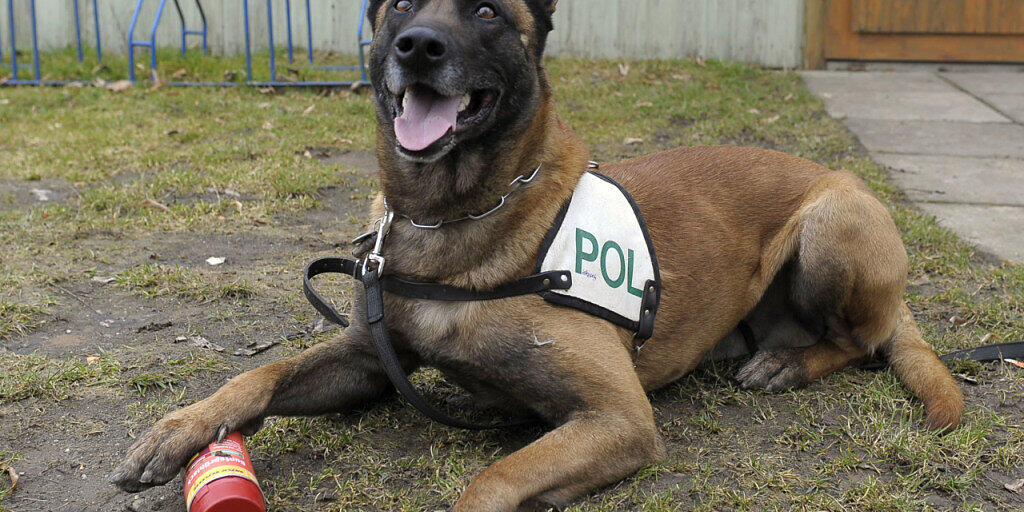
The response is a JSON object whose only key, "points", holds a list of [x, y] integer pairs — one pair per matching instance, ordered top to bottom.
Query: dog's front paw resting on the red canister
{"points": [[158, 456]]}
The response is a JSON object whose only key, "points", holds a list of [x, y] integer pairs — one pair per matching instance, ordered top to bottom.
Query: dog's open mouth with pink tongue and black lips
{"points": [[428, 120]]}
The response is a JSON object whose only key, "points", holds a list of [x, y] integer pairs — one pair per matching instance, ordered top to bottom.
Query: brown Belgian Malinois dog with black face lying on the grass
{"points": [[807, 257]]}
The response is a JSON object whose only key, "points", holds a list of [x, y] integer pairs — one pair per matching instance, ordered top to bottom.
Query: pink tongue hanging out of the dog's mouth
{"points": [[429, 117]]}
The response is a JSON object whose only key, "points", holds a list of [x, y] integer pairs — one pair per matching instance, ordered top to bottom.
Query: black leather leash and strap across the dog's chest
{"points": [[374, 286]]}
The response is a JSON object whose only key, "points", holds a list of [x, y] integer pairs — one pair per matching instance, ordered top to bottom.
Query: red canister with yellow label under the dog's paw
{"points": [[221, 479]]}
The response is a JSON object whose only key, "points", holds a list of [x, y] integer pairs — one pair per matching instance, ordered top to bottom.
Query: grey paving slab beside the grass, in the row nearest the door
{"points": [[832, 82]]}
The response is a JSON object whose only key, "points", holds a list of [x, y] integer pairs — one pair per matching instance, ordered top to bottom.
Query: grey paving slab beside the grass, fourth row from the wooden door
{"points": [[958, 180]]}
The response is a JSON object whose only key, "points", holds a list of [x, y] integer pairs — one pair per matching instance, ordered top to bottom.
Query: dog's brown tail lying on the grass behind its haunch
{"points": [[926, 376]]}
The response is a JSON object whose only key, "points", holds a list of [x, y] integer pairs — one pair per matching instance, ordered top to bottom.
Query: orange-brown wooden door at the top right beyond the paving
{"points": [[961, 31]]}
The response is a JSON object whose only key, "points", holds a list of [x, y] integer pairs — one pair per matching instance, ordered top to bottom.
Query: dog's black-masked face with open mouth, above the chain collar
{"points": [[454, 74]]}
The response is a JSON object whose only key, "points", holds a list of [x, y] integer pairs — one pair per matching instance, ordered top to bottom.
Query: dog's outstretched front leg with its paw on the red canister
{"points": [[331, 376]]}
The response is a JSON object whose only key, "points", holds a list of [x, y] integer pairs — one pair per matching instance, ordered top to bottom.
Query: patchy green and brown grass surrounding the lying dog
{"points": [[150, 165]]}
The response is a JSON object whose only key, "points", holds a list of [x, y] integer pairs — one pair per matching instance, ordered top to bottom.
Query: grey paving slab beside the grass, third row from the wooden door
{"points": [[942, 138]]}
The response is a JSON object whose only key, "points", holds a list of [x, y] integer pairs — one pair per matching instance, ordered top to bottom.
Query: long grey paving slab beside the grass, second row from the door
{"points": [[912, 106]]}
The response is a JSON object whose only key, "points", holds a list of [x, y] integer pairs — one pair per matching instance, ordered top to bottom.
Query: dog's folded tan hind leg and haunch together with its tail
{"points": [[849, 274]]}
